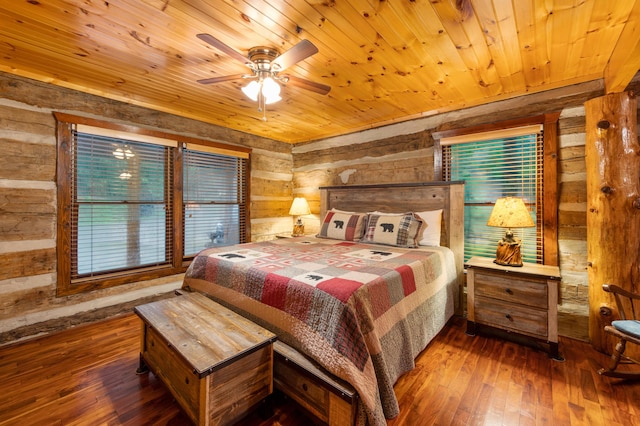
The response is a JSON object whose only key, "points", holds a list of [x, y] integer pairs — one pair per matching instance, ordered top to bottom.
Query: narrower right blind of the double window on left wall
{"points": [[214, 199]]}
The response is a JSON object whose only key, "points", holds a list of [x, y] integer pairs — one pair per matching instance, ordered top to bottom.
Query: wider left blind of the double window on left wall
{"points": [[121, 205]]}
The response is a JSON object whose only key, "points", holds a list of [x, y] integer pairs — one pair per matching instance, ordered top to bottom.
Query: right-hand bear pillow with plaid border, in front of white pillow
{"points": [[400, 230]]}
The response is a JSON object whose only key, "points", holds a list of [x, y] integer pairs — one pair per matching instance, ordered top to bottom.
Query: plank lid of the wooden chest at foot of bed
{"points": [[204, 333]]}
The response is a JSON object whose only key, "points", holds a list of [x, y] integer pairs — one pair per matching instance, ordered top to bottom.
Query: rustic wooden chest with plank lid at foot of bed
{"points": [[216, 363]]}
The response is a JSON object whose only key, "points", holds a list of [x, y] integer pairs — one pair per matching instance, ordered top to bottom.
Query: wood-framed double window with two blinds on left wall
{"points": [[136, 204]]}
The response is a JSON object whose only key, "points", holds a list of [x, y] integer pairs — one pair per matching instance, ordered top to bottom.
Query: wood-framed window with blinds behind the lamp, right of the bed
{"points": [[514, 159]]}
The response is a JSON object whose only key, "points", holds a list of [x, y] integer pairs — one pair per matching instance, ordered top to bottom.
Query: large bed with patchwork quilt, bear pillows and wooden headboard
{"points": [[360, 311]]}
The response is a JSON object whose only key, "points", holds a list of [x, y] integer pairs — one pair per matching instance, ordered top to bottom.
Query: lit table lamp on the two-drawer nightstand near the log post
{"points": [[510, 212]]}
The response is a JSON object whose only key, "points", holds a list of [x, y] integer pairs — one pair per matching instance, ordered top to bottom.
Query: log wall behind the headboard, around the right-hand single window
{"points": [[404, 153]]}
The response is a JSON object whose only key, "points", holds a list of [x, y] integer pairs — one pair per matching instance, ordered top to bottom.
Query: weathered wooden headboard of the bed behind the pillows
{"points": [[408, 197]]}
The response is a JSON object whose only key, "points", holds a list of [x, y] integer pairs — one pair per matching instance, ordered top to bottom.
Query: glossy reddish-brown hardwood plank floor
{"points": [[86, 375]]}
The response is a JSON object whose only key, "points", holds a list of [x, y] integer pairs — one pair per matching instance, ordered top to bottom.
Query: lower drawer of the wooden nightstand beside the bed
{"points": [[518, 318]]}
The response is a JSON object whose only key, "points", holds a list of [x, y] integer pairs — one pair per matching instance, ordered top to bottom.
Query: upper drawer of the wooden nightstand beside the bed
{"points": [[503, 286]]}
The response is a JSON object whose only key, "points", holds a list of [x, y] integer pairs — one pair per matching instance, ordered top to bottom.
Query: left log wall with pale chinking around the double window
{"points": [[28, 302]]}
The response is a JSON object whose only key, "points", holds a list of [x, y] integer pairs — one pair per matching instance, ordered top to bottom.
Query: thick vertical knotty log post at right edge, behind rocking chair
{"points": [[613, 206]]}
